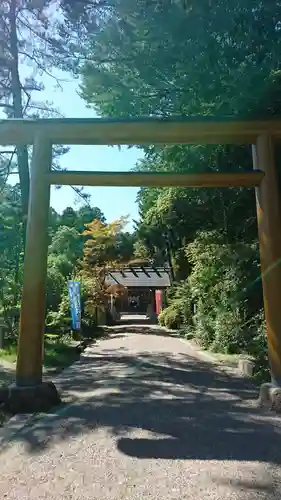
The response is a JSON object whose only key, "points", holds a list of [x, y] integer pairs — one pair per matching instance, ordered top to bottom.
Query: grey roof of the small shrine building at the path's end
{"points": [[140, 277]]}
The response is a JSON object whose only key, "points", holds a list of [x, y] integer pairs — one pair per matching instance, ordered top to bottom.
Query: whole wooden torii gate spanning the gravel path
{"points": [[43, 133]]}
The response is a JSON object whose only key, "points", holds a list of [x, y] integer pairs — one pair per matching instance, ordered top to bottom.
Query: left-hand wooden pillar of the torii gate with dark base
{"points": [[30, 393]]}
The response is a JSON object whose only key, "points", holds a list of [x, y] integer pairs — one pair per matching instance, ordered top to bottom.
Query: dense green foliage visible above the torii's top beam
{"points": [[185, 61]]}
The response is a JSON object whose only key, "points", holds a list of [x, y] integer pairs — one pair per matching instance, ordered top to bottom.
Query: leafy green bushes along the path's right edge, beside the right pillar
{"points": [[219, 304]]}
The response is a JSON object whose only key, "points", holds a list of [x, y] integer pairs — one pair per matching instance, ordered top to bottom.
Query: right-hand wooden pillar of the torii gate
{"points": [[269, 228]]}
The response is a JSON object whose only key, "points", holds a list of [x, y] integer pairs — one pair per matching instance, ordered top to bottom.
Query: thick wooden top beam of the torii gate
{"points": [[137, 131]]}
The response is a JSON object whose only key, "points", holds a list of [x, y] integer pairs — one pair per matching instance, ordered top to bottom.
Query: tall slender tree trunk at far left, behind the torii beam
{"points": [[22, 153]]}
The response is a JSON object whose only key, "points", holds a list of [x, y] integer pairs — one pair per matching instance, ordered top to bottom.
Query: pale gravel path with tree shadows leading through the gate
{"points": [[150, 421]]}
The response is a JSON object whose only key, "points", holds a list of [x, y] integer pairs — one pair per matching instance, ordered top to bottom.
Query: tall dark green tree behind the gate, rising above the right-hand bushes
{"points": [[195, 68]]}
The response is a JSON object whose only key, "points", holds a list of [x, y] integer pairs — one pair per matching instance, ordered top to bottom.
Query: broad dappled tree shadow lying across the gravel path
{"points": [[168, 407]]}
